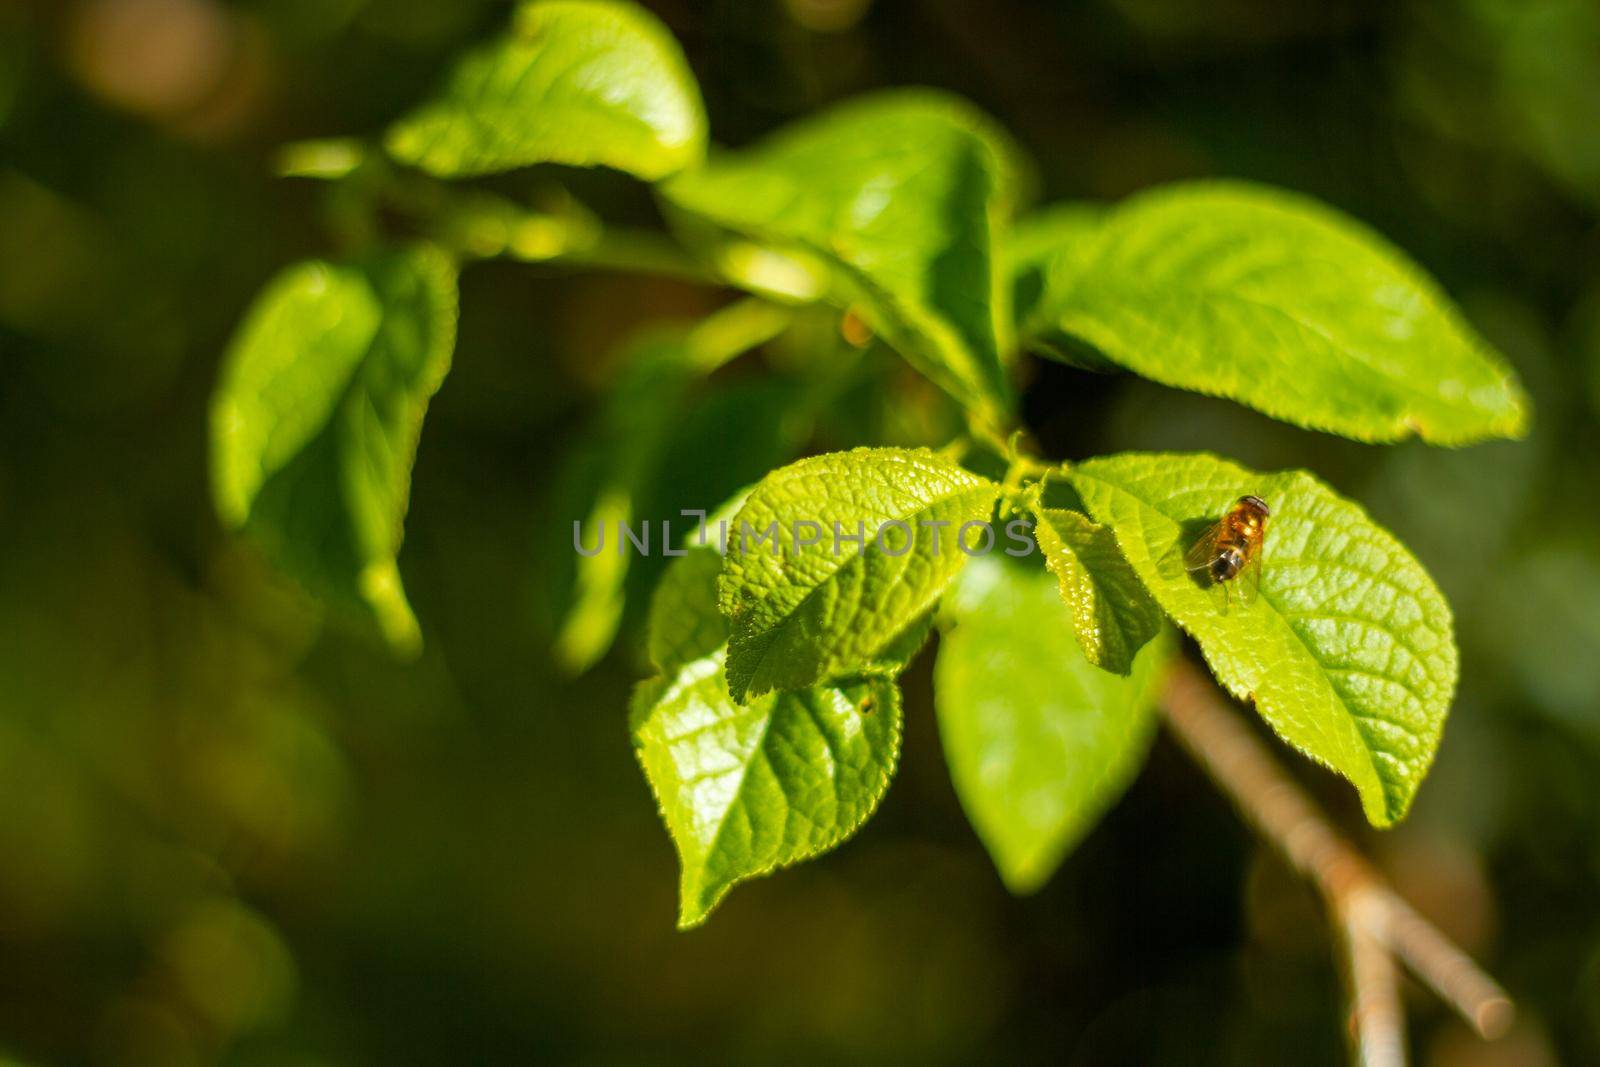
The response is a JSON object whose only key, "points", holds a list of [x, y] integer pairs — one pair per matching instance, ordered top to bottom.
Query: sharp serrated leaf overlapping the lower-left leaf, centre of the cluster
{"points": [[806, 613]]}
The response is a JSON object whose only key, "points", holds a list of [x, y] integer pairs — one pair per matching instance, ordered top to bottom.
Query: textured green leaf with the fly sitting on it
{"points": [[1348, 652]]}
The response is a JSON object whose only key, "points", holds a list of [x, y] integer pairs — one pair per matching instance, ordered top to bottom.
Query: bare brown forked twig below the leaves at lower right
{"points": [[1378, 927]]}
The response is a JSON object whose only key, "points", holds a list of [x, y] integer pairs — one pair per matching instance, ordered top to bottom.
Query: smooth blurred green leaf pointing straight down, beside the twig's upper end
{"points": [[1039, 741]]}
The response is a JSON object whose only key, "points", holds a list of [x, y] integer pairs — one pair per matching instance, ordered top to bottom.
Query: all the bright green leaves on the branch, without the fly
{"points": [[772, 727]]}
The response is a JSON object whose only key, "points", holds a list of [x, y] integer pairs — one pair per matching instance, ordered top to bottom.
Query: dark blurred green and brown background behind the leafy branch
{"points": [[234, 831]]}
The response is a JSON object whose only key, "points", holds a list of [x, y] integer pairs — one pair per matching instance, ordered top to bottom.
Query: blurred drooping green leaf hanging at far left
{"points": [[316, 420]]}
